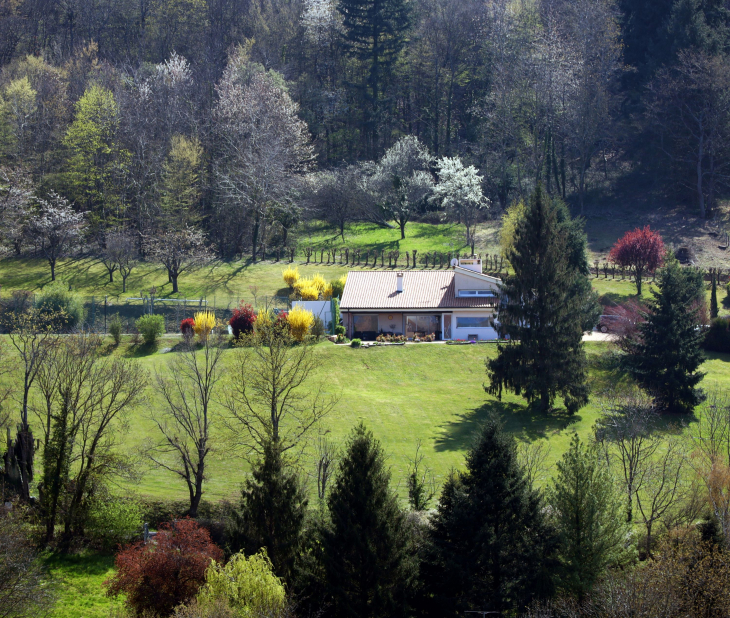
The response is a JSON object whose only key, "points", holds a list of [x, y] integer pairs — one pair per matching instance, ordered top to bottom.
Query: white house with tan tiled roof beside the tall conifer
{"points": [[459, 303]]}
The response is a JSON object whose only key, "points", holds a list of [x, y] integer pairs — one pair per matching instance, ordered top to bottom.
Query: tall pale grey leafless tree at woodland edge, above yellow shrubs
{"points": [[264, 146]]}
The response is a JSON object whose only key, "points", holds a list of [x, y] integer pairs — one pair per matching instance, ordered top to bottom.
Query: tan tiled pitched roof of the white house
{"points": [[421, 290]]}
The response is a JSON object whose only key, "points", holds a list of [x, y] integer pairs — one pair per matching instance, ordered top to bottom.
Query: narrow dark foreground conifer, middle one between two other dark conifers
{"points": [[366, 551]]}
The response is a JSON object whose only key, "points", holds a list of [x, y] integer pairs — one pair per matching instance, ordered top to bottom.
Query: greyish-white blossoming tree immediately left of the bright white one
{"points": [[401, 180]]}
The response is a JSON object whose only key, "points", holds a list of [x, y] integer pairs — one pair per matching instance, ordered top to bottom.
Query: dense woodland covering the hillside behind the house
{"points": [[237, 119]]}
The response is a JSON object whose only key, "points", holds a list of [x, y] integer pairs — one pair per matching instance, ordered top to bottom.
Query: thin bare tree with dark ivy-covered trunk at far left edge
{"points": [[31, 334]]}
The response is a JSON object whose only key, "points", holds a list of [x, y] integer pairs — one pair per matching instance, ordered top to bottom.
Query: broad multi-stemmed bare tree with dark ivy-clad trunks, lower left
{"points": [[87, 401]]}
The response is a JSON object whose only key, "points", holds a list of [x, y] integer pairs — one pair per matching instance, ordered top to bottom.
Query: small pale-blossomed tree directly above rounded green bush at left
{"points": [[55, 226]]}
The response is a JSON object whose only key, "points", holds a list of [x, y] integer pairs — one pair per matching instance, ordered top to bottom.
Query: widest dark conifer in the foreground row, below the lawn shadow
{"points": [[490, 547]]}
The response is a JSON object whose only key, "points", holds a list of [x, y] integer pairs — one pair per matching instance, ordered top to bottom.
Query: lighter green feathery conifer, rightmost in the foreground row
{"points": [[589, 516]]}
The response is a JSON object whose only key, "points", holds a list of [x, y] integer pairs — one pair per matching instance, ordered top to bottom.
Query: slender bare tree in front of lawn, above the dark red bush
{"points": [[185, 423]]}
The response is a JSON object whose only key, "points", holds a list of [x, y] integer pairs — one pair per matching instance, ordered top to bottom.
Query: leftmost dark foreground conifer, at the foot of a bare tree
{"points": [[272, 512]]}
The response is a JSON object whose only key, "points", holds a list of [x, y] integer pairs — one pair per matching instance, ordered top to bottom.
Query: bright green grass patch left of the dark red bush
{"points": [[80, 591]]}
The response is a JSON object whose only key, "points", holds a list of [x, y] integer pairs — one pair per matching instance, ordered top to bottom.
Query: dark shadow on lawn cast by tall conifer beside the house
{"points": [[522, 421]]}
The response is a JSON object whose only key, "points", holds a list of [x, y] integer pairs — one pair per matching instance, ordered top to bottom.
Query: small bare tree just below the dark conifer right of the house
{"points": [[627, 431]]}
